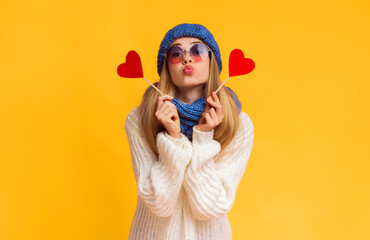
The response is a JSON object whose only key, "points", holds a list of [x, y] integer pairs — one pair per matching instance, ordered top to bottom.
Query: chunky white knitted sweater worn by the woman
{"points": [[183, 193]]}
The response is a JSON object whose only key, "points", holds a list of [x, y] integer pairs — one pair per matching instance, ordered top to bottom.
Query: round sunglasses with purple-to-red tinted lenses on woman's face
{"points": [[198, 52]]}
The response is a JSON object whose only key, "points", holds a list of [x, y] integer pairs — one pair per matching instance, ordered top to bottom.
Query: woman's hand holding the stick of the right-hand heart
{"points": [[212, 115]]}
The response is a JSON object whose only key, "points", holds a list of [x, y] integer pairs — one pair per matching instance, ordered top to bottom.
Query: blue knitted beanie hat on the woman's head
{"points": [[188, 30]]}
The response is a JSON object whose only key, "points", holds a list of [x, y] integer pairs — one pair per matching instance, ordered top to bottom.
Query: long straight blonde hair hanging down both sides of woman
{"points": [[150, 126]]}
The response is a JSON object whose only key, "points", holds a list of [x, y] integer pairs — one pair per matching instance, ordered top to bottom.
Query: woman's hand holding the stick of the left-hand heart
{"points": [[168, 116]]}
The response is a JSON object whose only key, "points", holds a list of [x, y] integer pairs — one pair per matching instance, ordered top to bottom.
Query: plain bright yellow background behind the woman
{"points": [[65, 168]]}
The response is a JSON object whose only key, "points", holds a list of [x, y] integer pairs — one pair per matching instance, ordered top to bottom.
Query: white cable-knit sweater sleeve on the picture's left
{"points": [[159, 179]]}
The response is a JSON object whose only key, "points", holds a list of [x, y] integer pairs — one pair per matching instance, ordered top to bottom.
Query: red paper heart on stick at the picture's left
{"points": [[132, 67]]}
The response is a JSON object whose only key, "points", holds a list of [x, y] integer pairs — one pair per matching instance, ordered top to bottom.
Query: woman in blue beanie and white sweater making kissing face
{"points": [[189, 146]]}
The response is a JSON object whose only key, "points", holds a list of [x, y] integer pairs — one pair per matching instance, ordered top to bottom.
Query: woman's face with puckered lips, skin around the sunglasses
{"points": [[190, 71]]}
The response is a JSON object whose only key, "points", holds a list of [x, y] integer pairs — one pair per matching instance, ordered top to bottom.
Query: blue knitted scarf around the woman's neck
{"points": [[190, 113]]}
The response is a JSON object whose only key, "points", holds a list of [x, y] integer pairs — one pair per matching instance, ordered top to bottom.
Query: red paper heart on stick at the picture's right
{"points": [[238, 65]]}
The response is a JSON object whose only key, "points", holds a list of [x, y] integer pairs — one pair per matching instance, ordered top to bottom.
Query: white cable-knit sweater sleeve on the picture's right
{"points": [[210, 185]]}
